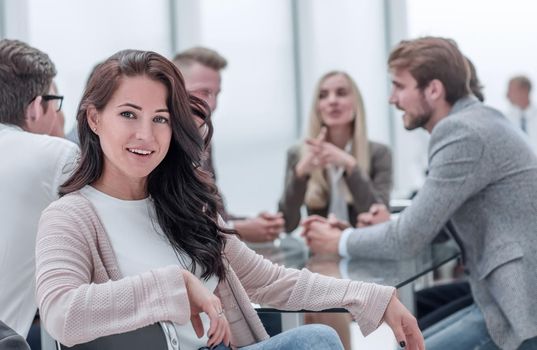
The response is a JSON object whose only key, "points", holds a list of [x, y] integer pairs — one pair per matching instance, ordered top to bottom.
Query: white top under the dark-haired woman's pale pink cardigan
{"points": [[140, 245]]}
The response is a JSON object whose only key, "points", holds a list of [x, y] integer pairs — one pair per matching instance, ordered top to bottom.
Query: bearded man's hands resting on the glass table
{"points": [[323, 234]]}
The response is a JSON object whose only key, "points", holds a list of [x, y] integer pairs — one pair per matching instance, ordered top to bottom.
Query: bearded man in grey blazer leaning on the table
{"points": [[482, 182]]}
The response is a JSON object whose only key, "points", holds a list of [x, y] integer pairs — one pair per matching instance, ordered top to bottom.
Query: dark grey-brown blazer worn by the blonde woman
{"points": [[366, 189]]}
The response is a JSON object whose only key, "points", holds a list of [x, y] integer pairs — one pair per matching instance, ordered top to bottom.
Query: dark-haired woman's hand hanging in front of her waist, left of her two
{"points": [[202, 300]]}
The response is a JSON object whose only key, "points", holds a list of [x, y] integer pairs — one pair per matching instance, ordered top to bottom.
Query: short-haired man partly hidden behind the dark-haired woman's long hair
{"points": [[201, 68]]}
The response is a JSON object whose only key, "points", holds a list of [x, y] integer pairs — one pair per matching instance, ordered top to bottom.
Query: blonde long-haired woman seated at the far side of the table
{"points": [[337, 169]]}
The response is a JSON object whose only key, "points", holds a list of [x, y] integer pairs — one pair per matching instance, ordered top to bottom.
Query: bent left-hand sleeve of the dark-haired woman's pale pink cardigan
{"points": [[78, 299]]}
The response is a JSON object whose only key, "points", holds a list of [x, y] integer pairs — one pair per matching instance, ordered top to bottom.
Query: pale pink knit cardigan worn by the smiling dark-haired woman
{"points": [[82, 295]]}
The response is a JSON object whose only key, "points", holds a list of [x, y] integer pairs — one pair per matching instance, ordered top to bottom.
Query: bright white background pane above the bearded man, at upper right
{"points": [[497, 35]]}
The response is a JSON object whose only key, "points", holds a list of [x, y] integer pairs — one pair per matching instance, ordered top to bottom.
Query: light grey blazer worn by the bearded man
{"points": [[482, 175]]}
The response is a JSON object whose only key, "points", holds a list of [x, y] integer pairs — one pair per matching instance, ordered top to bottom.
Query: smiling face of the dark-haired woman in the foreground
{"points": [[134, 129]]}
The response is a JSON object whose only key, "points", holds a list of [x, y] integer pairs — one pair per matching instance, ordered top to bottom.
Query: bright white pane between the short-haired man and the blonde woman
{"points": [[255, 115]]}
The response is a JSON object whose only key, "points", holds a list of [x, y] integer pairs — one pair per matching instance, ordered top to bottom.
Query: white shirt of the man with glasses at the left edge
{"points": [[32, 167]]}
